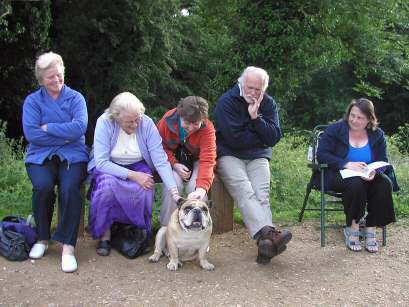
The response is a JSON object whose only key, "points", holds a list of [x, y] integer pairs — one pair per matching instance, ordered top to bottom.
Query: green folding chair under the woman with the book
{"points": [[333, 204]]}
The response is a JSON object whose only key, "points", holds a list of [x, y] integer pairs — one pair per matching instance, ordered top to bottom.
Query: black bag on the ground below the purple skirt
{"points": [[129, 240]]}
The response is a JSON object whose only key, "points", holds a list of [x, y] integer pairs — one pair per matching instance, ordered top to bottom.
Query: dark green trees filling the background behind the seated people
{"points": [[320, 54]]}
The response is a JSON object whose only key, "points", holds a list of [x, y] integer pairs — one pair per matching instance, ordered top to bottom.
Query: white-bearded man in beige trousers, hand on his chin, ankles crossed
{"points": [[247, 127]]}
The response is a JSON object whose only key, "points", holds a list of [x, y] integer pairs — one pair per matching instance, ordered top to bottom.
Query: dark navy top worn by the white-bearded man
{"points": [[240, 136]]}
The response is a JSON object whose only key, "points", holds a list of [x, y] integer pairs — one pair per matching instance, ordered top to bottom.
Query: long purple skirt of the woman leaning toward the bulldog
{"points": [[117, 200]]}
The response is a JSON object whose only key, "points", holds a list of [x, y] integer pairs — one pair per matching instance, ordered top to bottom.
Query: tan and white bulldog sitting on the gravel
{"points": [[187, 235]]}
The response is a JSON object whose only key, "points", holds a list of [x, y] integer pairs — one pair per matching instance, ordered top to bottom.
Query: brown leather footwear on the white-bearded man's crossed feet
{"points": [[271, 242]]}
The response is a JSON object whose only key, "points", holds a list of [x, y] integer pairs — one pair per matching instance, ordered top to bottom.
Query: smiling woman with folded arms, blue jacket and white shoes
{"points": [[54, 121]]}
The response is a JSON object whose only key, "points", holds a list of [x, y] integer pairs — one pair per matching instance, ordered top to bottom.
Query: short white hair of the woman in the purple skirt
{"points": [[124, 102]]}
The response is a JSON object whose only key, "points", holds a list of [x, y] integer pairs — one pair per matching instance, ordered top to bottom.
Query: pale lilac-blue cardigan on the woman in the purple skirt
{"points": [[150, 145]]}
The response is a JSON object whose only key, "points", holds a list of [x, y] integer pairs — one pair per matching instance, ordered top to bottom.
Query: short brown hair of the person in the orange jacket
{"points": [[193, 108]]}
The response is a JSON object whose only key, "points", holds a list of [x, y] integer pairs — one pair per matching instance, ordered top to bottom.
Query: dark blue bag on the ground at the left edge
{"points": [[13, 245]]}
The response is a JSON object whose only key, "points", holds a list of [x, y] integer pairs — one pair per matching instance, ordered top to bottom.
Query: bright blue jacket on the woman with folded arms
{"points": [[66, 120]]}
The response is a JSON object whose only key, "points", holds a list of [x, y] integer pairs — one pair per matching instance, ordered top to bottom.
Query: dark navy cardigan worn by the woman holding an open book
{"points": [[334, 145]]}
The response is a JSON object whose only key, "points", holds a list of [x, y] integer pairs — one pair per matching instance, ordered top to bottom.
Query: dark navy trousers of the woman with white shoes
{"points": [[69, 178]]}
